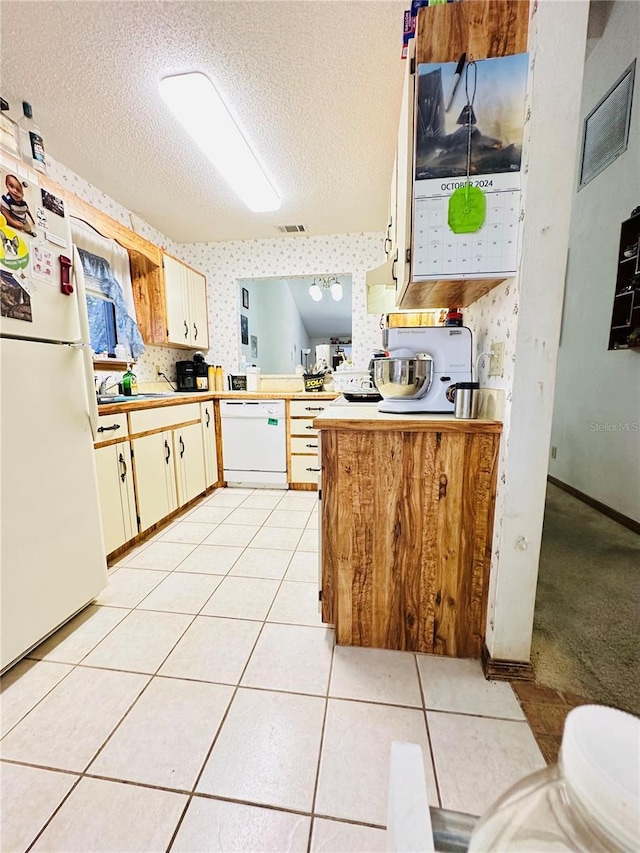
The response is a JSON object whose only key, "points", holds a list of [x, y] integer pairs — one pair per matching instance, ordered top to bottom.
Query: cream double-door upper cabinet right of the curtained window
{"points": [[186, 301]]}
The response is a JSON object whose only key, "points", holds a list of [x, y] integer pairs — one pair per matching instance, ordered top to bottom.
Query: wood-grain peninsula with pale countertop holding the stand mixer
{"points": [[407, 506]]}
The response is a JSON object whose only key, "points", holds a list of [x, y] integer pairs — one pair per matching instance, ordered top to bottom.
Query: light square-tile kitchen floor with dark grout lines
{"points": [[200, 704]]}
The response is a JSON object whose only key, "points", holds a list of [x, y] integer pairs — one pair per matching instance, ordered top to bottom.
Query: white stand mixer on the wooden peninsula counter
{"points": [[449, 350]]}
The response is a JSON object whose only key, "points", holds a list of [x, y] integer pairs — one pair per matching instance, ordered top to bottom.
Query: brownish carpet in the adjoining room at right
{"points": [[586, 635]]}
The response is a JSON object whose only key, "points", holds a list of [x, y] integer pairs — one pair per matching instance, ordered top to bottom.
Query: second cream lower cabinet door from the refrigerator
{"points": [[155, 477]]}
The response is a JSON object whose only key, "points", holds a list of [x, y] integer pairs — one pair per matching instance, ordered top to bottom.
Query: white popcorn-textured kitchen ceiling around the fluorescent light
{"points": [[316, 85]]}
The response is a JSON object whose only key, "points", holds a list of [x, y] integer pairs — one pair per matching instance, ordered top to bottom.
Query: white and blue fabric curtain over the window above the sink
{"points": [[107, 264]]}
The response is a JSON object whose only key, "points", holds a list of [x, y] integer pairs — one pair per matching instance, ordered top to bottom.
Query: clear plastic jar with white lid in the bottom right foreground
{"points": [[589, 801]]}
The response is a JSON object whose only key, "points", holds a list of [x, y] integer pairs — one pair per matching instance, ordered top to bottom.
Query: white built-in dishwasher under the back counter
{"points": [[254, 442]]}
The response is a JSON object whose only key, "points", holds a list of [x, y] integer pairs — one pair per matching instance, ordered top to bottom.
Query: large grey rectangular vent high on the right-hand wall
{"points": [[606, 128]]}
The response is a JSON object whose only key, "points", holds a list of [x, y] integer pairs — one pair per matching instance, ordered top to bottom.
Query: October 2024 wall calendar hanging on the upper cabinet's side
{"points": [[475, 135]]}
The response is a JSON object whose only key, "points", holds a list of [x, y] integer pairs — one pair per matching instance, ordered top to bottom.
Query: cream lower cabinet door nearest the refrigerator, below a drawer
{"points": [[117, 495]]}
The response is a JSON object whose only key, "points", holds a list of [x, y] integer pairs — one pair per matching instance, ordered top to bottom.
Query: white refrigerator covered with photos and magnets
{"points": [[52, 558]]}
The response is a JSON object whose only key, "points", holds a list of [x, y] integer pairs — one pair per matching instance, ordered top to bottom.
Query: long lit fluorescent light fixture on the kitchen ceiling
{"points": [[197, 105]]}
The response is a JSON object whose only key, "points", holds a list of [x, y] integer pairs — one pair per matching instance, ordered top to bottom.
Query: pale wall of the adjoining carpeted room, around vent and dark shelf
{"points": [[598, 392]]}
